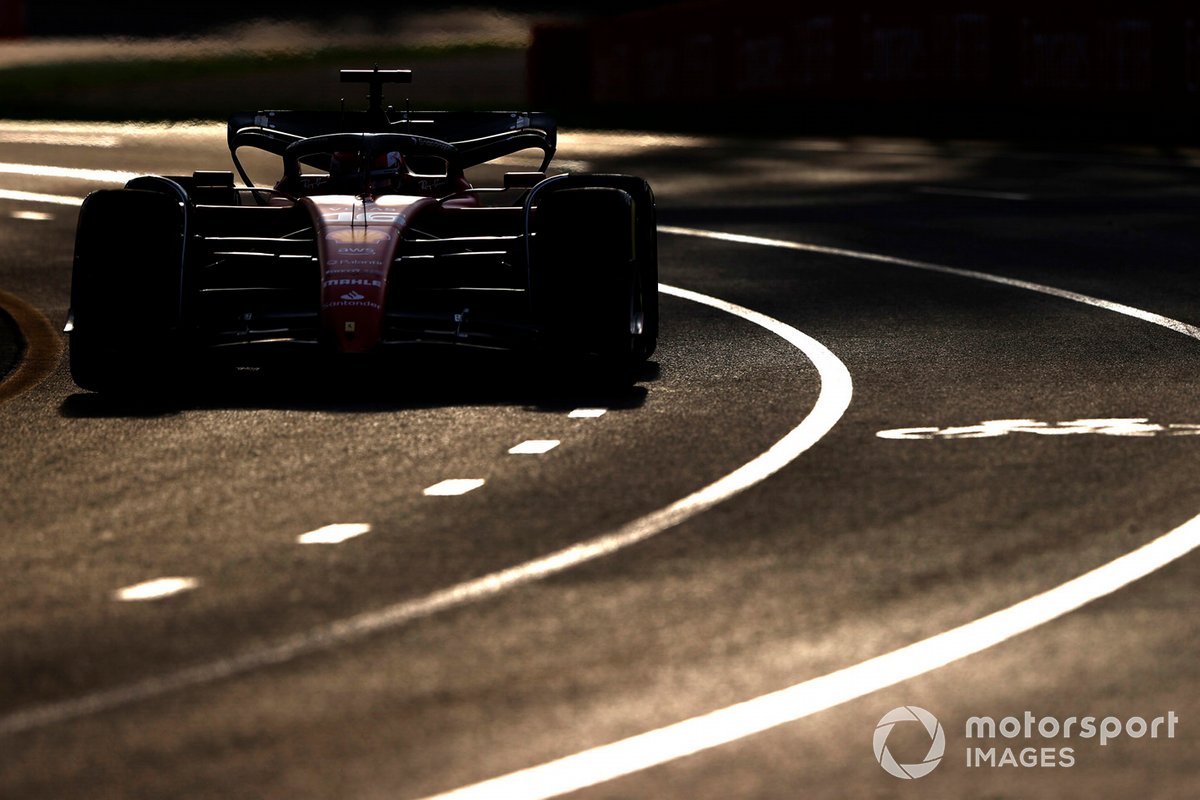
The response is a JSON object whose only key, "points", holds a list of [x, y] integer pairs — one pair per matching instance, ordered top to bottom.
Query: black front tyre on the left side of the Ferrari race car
{"points": [[125, 290]]}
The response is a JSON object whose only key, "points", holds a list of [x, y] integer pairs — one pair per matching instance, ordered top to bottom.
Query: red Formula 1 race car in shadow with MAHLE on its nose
{"points": [[371, 239]]}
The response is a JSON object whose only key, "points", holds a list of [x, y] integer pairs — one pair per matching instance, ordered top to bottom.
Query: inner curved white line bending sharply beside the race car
{"points": [[832, 404]]}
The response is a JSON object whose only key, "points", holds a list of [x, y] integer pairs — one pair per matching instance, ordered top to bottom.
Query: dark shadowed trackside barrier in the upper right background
{"points": [[721, 59]]}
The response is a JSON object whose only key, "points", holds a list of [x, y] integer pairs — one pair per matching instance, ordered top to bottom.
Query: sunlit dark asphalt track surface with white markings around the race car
{"points": [[731, 538]]}
